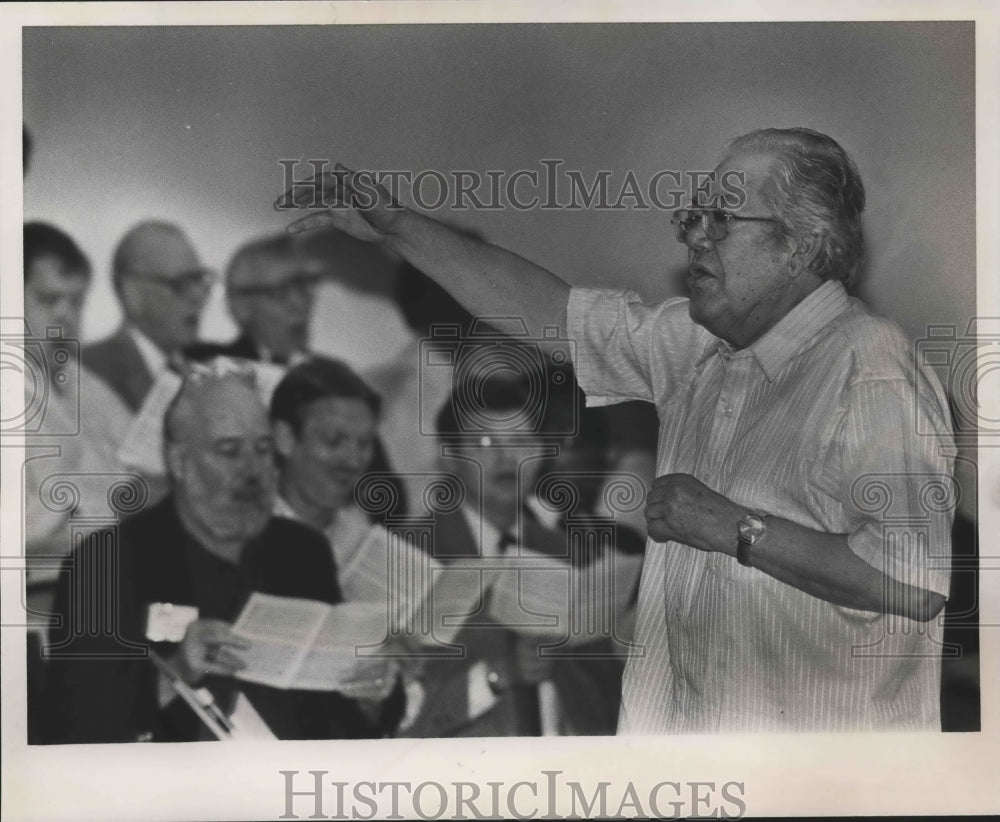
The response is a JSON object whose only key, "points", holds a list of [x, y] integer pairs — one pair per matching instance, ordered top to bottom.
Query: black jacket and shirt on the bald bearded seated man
{"points": [[114, 698]]}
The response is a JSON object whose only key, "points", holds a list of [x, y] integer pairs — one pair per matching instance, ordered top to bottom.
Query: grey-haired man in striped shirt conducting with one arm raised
{"points": [[779, 591]]}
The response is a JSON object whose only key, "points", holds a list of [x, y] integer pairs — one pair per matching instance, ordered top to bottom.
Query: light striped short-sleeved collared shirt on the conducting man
{"points": [[825, 421]]}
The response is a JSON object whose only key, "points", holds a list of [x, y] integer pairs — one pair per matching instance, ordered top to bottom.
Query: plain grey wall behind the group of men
{"points": [[188, 124]]}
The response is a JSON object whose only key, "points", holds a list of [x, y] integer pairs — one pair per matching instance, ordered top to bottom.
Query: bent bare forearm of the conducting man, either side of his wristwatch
{"points": [[822, 565]]}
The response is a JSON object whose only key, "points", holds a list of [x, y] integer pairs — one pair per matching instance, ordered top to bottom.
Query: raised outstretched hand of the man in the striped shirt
{"points": [[345, 200]]}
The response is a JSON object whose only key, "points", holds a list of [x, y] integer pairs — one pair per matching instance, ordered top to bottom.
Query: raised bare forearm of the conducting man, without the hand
{"points": [[485, 279]]}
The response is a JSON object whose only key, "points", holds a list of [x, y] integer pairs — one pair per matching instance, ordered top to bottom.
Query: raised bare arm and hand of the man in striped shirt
{"points": [[485, 279]]}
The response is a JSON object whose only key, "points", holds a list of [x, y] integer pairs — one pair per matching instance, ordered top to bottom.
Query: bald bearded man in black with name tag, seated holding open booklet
{"points": [[185, 569]]}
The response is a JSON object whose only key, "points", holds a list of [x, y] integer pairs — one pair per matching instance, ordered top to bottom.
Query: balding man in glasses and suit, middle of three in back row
{"points": [[162, 288]]}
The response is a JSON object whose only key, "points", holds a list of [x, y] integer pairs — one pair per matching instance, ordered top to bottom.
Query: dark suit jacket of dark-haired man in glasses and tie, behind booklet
{"points": [[589, 688]]}
